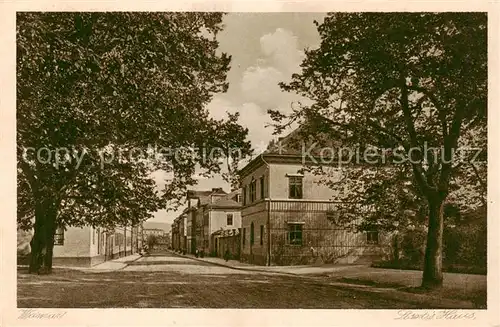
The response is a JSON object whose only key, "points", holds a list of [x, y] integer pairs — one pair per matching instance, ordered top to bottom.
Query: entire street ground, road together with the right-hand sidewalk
{"points": [[171, 281]]}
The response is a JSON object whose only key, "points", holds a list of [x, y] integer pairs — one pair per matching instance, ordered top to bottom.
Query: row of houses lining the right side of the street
{"points": [[279, 216]]}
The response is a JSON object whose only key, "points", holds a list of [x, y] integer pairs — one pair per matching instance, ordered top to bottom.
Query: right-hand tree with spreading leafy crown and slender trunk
{"points": [[406, 82]]}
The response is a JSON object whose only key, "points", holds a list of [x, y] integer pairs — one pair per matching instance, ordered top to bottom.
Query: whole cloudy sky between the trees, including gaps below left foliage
{"points": [[266, 48]]}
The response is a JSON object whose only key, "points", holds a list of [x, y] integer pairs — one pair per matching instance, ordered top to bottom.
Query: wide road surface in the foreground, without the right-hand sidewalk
{"points": [[170, 281]]}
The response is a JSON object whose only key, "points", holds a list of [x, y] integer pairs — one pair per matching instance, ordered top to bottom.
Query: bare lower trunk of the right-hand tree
{"points": [[433, 261]]}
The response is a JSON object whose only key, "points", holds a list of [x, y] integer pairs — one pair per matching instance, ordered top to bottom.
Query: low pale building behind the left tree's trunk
{"points": [[86, 246]]}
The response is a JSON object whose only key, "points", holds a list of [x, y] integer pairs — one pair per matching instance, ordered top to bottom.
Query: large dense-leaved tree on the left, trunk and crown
{"points": [[104, 100]]}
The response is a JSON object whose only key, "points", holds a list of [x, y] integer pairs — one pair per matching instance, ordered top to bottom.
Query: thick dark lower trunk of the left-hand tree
{"points": [[42, 243]]}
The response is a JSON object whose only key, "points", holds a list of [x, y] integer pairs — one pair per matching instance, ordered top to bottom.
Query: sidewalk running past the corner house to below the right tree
{"points": [[464, 290]]}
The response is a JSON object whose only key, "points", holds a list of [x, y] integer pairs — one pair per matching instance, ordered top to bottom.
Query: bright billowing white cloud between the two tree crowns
{"points": [[279, 58]]}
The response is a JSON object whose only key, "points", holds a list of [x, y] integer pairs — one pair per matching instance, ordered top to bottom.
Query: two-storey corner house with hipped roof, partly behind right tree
{"points": [[288, 218]]}
